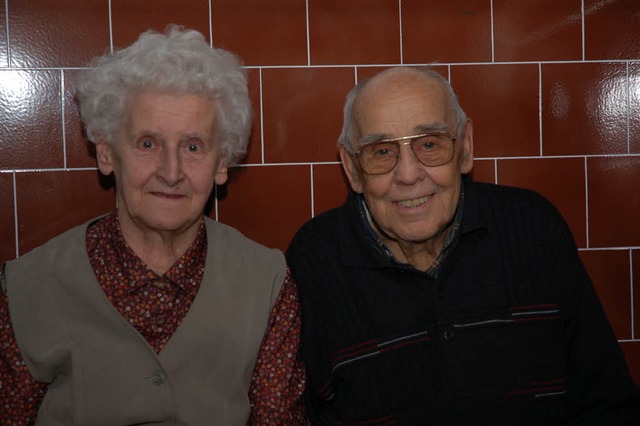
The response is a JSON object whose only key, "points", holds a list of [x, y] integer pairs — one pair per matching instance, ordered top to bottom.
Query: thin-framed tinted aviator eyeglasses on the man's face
{"points": [[431, 149]]}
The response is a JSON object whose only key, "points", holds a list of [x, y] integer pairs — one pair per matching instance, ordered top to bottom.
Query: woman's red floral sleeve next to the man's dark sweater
{"points": [[278, 382]]}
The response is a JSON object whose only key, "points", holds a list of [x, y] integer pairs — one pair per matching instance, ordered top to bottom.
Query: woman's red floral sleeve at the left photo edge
{"points": [[20, 394]]}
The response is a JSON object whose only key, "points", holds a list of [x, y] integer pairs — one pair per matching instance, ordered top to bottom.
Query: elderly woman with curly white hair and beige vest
{"points": [[154, 313]]}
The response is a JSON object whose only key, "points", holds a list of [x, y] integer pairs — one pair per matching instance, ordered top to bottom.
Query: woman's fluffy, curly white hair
{"points": [[177, 62]]}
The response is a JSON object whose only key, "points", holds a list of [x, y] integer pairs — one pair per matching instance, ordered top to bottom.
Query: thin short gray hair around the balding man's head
{"points": [[349, 127]]}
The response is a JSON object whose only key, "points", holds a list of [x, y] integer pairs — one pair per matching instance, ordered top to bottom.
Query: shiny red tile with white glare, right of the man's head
{"points": [[584, 108]]}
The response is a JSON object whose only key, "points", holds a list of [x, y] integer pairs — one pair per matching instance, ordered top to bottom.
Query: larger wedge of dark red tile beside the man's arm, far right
{"points": [[609, 271]]}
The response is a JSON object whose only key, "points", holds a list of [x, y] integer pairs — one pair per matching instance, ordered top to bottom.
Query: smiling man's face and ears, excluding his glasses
{"points": [[413, 203]]}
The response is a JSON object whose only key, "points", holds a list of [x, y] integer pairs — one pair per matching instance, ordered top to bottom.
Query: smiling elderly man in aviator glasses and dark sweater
{"points": [[429, 299]]}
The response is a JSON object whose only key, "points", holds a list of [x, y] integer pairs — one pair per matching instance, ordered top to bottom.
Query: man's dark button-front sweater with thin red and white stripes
{"points": [[511, 332]]}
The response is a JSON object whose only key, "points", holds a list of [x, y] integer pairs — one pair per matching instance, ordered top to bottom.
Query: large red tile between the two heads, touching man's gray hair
{"points": [[302, 110]]}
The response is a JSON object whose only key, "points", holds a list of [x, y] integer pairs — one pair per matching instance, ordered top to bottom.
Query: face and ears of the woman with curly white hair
{"points": [[166, 160]]}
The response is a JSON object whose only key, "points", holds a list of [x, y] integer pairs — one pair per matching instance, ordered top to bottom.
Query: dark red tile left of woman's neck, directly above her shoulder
{"points": [[49, 203]]}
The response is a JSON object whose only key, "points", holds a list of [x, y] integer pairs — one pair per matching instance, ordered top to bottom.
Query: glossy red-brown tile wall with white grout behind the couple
{"points": [[553, 91]]}
